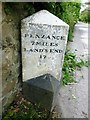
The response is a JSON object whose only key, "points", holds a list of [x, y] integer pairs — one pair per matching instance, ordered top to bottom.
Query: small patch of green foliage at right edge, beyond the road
{"points": [[85, 16]]}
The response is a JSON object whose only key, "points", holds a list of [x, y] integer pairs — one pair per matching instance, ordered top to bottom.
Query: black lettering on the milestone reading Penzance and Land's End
{"points": [[44, 43]]}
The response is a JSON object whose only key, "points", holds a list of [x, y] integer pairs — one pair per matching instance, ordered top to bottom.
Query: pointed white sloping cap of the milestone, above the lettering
{"points": [[44, 17]]}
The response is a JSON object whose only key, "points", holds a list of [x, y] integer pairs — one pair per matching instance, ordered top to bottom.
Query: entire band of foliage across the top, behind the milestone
{"points": [[67, 11]]}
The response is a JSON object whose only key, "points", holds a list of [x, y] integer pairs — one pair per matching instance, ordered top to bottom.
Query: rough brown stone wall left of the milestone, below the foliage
{"points": [[10, 57]]}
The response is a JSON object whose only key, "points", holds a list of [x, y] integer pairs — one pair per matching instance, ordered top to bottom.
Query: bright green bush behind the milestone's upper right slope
{"points": [[67, 11]]}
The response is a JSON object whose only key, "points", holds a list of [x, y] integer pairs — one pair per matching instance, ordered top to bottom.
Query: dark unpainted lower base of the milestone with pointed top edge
{"points": [[41, 90]]}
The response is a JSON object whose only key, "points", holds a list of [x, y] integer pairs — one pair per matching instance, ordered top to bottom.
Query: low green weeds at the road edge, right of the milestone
{"points": [[69, 67]]}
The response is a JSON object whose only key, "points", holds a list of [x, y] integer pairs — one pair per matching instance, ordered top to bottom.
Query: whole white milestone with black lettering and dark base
{"points": [[44, 39]]}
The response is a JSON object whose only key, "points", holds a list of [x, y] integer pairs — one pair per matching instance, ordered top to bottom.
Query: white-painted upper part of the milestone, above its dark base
{"points": [[44, 38]]}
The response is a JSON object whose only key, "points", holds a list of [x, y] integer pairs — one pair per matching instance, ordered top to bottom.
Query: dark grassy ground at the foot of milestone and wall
{"points": [[21, 109]]}
